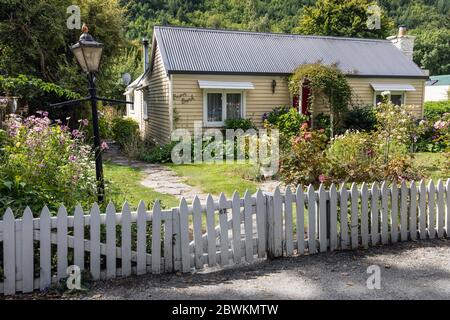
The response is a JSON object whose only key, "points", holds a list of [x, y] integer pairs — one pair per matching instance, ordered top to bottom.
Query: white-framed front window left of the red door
{"points": [[220, 106]]}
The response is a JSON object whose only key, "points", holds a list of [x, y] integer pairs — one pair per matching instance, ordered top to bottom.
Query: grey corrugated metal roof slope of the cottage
{"points": [[221, 51]]}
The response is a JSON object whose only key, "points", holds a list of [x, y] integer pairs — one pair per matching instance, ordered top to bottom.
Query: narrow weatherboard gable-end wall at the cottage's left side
{"points": [[158, 124]]}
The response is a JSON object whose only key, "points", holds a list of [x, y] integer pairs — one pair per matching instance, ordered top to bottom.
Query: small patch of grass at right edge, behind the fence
{"points": [[433, 165]]}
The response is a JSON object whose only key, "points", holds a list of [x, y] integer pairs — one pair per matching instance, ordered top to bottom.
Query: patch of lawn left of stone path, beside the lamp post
{"points": [[124, 186]]}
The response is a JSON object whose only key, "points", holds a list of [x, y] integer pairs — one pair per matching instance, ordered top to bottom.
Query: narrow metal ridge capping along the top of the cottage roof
{"points": [[293, 35]]}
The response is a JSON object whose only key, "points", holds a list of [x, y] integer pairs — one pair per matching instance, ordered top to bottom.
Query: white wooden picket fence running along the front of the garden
{"points": [[297, 221]]}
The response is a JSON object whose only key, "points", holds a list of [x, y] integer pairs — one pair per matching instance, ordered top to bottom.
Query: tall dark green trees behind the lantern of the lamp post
{"points": [[35, 41]]}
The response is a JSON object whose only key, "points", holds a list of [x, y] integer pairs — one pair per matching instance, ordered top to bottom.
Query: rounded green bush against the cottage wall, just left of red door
{"points": [[286, 119]]}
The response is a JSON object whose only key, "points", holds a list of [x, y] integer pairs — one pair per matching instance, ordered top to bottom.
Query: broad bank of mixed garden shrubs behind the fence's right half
{"points": [[378, 155]]}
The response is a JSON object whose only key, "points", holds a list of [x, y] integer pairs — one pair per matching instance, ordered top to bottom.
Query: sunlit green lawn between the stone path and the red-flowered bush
{"points": [[217, 178]]}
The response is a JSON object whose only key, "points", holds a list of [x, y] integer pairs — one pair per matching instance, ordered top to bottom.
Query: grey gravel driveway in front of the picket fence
{"points": [[412, 270]]}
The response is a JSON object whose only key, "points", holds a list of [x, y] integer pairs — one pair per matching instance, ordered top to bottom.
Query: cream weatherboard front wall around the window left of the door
{"points": [[188, 97]]}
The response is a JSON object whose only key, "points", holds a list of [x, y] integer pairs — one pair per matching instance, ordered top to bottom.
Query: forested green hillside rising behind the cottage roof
{"points": [[428, 19]]}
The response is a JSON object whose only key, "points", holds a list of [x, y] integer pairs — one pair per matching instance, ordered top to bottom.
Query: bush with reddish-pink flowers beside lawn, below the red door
{"points": [[304, 162]]}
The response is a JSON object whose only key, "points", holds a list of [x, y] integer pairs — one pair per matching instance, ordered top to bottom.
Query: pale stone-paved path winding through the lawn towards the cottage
{"points": [[163, 180]]}
